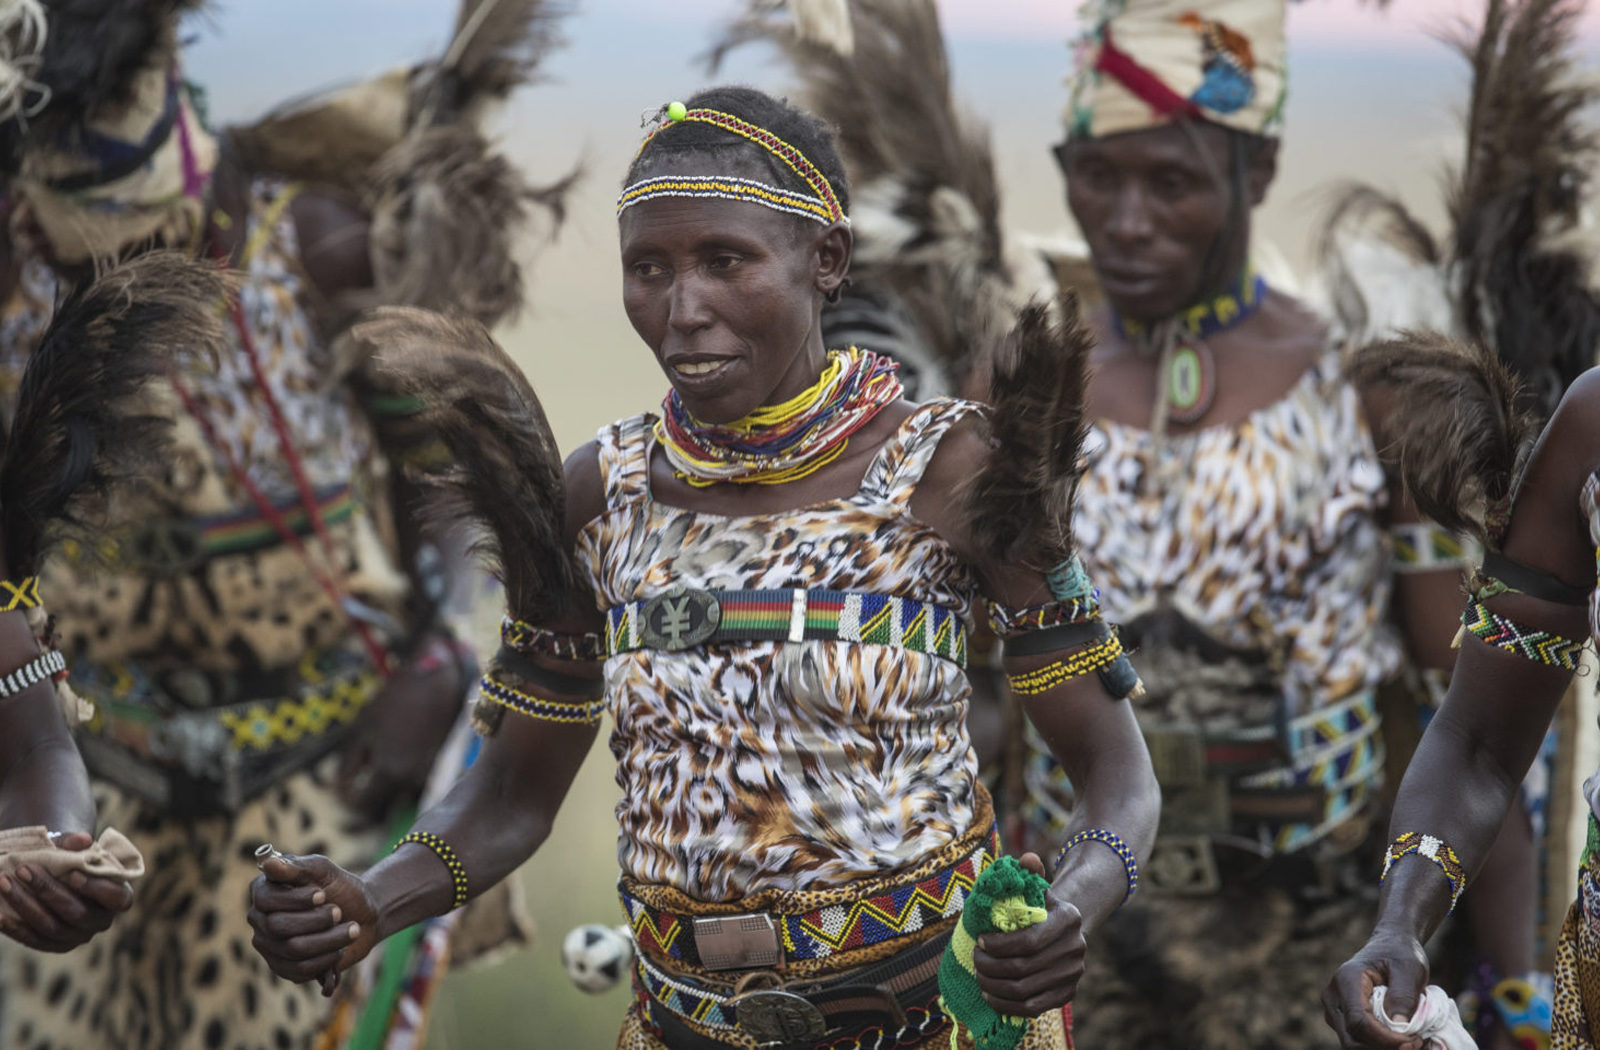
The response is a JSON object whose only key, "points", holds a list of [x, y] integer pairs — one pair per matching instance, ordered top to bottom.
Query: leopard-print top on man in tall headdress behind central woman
{"points": [[1265, 537]]}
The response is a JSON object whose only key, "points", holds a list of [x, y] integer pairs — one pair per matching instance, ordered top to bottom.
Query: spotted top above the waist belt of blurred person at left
{"points": [[233, 612]]}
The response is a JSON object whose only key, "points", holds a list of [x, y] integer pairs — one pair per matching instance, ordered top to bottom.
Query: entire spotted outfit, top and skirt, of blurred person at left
{"points": [[178, 972]]}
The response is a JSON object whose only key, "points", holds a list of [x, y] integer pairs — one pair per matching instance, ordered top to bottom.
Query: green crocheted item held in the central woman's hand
{"points": [[1006, 899]]}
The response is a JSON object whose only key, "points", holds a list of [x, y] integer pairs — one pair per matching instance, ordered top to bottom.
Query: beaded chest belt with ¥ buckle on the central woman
{"points": [[684, 619]]}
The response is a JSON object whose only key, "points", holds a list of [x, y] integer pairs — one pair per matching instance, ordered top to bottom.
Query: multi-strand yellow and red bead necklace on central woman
{"points": [[778, 444]]}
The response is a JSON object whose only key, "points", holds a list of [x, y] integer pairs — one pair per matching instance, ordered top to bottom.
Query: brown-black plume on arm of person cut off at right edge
{"points": [[1457, 428]]}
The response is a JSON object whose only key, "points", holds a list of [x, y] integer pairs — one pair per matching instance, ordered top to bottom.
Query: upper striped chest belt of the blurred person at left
{"points": [[170, 547]]}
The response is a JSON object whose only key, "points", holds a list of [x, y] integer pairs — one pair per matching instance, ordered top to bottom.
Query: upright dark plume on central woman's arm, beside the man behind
{"points": [[1020, 507]]}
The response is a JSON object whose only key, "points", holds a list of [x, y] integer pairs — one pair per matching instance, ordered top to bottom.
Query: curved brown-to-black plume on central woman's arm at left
{"points": [[506, 471]]}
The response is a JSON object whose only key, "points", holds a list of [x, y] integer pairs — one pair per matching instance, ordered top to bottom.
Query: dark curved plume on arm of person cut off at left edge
{"points": [[82, 428]]}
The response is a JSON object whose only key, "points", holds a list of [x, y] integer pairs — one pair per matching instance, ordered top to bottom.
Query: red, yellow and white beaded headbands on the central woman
{"points": [[822, 206]]}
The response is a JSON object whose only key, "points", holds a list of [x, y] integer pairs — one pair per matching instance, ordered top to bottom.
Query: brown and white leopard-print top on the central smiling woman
{"points": [[772, 764]]}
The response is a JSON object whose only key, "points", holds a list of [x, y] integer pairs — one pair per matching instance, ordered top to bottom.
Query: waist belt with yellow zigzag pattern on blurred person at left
{"points": [[207, 743]]}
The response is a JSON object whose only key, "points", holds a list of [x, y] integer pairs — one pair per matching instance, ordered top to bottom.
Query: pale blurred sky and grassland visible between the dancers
{"points": [[1375, 95]]}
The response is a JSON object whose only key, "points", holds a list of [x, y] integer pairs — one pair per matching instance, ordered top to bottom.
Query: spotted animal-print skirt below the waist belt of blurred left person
{"points": [[178, 972]]}
